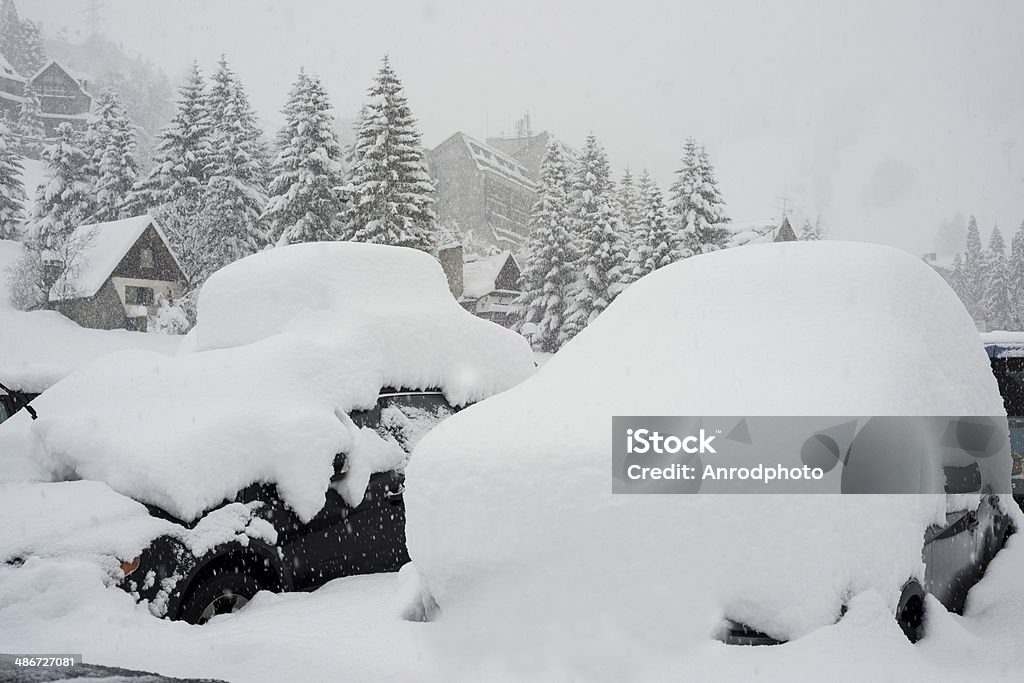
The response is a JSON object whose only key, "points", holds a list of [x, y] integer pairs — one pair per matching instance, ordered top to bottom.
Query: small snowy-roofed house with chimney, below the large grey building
{"points": [[486, 286]]}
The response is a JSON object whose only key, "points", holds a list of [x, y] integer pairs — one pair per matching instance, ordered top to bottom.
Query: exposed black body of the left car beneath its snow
{"points": [[339, 541]]}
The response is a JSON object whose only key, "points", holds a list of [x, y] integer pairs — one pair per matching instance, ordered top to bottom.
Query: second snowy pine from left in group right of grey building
{"points": [[600, 241]]}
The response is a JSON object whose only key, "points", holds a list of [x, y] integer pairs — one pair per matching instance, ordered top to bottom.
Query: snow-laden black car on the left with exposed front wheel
{"points": [[270, 452]]}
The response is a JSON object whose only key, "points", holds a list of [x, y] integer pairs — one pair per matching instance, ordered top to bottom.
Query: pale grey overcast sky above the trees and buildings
{"points": [[883, 118]]}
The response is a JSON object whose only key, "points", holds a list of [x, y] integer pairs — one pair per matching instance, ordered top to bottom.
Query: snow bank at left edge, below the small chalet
{"points": [[41, 348]]}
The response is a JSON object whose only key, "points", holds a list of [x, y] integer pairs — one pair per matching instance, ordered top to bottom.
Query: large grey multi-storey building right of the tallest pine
{"points": [[484, 190]]}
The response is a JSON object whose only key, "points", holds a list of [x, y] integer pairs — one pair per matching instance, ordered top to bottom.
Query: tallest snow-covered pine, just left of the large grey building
{"points": [[390, 188]]}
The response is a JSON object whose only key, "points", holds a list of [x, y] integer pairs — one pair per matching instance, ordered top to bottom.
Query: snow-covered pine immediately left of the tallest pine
{"points": [[306, 196]]}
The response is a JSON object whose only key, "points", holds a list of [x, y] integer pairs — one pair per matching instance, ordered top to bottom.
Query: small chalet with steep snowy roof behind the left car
{"points": [[120, 272]]}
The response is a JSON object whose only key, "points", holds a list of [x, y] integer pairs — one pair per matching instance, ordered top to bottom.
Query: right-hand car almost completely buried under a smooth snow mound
{"points": [[803, 332]]}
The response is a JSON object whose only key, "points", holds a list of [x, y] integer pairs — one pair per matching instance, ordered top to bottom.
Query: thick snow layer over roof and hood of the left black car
{"points": [[288, 341]]}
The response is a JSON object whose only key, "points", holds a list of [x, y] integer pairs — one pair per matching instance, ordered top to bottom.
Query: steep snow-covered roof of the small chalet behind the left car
{"points": [[104, 247]]}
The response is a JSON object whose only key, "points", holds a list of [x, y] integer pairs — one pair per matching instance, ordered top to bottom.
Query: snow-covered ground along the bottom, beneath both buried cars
{"points": [[351, 630]]}
